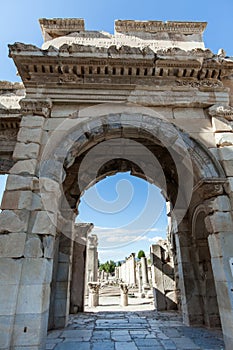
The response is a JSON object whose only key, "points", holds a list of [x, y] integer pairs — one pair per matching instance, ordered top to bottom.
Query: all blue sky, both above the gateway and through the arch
{"points": [[19, 22]]}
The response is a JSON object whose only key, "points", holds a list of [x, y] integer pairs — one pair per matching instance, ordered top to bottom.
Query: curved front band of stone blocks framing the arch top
{"points": [[81, 136]]}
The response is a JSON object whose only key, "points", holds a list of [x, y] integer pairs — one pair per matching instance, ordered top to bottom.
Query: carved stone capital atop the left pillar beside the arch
{"points": [[36, 107]]}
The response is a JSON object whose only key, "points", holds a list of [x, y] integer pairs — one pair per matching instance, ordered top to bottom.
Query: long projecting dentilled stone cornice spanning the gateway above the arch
{"points": [[71, 64]]}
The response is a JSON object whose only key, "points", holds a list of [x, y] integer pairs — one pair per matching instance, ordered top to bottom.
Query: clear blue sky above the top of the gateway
{"points": [[19, 19]]}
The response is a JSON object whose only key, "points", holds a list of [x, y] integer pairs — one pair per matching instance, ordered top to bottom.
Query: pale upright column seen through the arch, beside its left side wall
{"points": [[92, 258]]}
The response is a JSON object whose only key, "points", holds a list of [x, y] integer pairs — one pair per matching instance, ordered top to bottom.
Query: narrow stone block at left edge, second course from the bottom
{"points": [[8, 299]]}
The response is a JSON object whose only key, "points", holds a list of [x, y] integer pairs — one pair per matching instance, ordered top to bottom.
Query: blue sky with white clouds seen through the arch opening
{"points": [[129, 214]]}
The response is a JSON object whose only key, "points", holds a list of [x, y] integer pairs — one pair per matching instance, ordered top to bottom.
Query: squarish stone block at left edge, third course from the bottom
{"points": [[10, 271]]}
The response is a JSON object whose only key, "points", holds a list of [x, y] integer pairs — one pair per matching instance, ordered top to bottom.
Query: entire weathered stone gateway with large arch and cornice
{"points": [[149, 99]]}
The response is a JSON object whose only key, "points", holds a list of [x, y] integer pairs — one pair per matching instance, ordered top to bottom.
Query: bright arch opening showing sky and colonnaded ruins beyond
{"points": [[129, 215]]}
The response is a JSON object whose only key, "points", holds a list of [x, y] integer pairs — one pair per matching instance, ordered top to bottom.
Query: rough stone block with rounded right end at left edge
{"points": [[10, 222]]}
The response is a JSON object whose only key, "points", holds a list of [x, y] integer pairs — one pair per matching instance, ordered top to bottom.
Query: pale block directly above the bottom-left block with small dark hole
{"points": [[33, 298]]}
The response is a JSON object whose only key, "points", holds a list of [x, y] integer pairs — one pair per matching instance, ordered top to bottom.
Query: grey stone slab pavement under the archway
{"points": [[142, 330]]}
